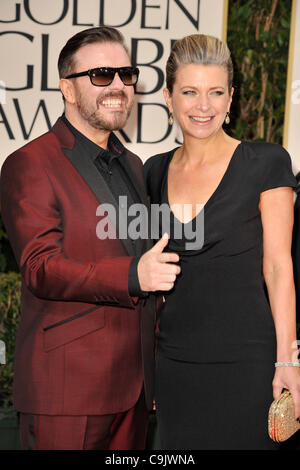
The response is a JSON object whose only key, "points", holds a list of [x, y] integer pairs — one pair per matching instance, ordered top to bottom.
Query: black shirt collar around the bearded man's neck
{"points": [[115, 147]]}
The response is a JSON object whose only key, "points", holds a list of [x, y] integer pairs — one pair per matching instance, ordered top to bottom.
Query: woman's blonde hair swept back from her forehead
{"points": [[198, 49]]}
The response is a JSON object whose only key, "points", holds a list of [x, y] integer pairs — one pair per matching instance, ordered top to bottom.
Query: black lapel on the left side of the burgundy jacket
{"points": [[86, 168]]}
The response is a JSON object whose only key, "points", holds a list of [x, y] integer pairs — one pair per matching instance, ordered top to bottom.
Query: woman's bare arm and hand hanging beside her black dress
{"points": [[277, 211]]}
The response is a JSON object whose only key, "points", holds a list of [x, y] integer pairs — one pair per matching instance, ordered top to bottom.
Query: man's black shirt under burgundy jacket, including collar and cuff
{"points": [[107, 163]]}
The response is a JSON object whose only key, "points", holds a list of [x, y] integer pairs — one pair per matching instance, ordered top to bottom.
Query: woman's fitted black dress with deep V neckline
{"points": [[216, 341]]}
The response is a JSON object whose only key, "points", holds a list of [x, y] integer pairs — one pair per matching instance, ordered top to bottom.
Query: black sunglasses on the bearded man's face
{"points": [[104, 76]]}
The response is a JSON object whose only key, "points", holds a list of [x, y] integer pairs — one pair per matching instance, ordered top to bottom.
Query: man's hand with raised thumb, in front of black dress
{"points": [[155, 268]]}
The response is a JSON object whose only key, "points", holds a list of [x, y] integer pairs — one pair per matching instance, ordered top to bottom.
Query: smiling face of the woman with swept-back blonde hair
{"points": [[200, 99]]}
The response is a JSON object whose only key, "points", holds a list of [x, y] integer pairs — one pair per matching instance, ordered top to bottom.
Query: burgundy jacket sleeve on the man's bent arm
{"points": [[34, 224]]}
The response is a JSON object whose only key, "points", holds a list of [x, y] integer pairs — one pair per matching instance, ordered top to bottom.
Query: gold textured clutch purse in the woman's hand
{"points": [[282, 423]]}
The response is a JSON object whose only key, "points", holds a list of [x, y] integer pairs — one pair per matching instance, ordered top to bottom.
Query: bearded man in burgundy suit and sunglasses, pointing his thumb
{"points": [[84, 350]]}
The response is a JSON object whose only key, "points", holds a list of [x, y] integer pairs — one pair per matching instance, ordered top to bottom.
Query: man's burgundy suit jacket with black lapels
{"points": [[84, 345]]}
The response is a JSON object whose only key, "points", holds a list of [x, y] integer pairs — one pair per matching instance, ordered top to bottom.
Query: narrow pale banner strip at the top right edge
{"points": [[291, 139]]}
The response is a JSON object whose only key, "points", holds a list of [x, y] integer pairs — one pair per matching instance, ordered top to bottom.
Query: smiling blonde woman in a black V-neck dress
{"points": [[219, 338]]}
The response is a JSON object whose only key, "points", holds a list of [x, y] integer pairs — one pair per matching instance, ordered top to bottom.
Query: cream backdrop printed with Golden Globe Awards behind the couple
{"points": [[32, 33]]}
